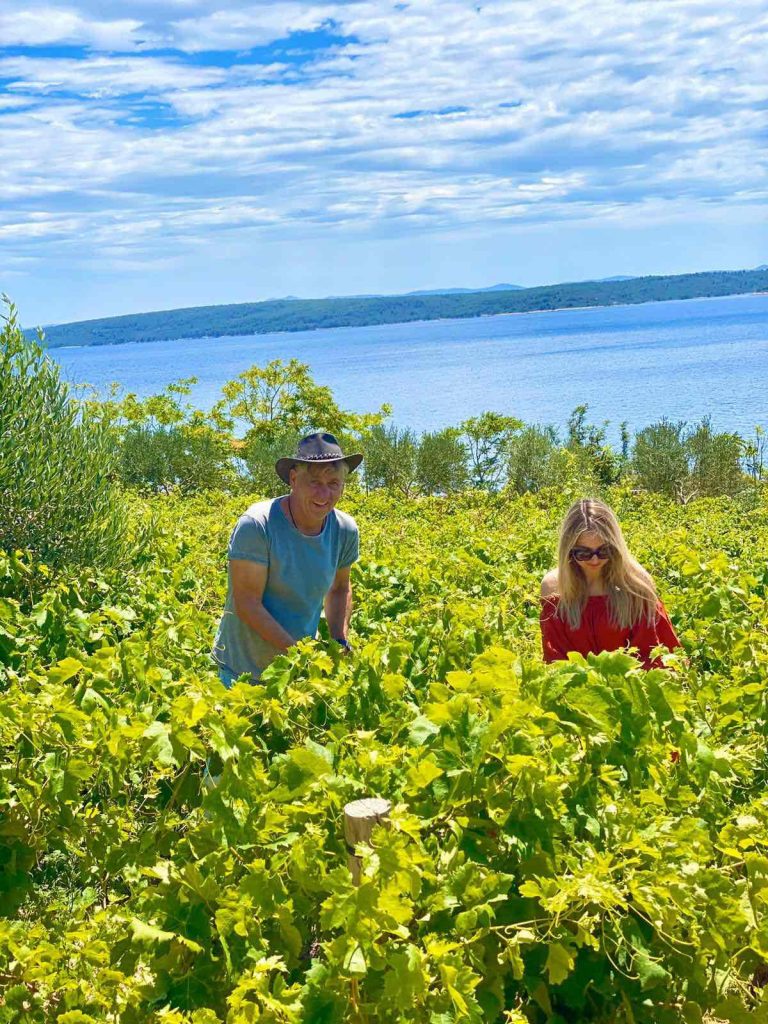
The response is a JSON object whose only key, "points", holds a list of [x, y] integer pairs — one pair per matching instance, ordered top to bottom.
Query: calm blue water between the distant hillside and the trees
{"points": [[680, 360]]}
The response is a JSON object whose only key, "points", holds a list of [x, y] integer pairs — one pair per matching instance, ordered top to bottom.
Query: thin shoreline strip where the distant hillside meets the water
{"points": [[431, 320]]}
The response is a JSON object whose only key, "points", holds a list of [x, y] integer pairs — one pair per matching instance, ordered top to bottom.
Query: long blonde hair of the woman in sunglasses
{"points": [[632, 594]]}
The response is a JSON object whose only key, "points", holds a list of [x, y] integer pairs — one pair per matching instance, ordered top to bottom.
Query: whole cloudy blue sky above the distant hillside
{"points": [[157, 155]]}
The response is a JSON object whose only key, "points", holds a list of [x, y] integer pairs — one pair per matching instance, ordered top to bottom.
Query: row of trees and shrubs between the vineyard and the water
{"points": [[166, 445]]}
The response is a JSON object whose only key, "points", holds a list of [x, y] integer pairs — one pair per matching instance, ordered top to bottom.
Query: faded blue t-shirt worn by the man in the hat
{"points": [[301, 571]]}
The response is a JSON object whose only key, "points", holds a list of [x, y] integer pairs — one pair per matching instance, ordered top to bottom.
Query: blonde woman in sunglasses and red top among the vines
{"points": [[600, 598]]}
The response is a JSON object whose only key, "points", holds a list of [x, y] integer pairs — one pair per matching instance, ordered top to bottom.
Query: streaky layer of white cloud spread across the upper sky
{"points": [[579, 110]]}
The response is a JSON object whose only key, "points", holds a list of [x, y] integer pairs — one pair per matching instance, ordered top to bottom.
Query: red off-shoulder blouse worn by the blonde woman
{"points": [[596, 632]]}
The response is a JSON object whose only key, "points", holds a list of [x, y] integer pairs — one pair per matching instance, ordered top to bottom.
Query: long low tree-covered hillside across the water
{"points": [[308, 315]]}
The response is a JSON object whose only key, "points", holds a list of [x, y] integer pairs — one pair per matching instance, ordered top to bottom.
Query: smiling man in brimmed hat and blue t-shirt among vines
{"points": [[288, 558]]}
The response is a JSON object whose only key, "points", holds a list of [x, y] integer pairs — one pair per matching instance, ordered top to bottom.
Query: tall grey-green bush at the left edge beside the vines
{"points": [[60, 498]]}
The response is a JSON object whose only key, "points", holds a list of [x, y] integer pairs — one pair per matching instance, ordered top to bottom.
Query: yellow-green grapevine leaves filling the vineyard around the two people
{"points": [[583, 842]]}
